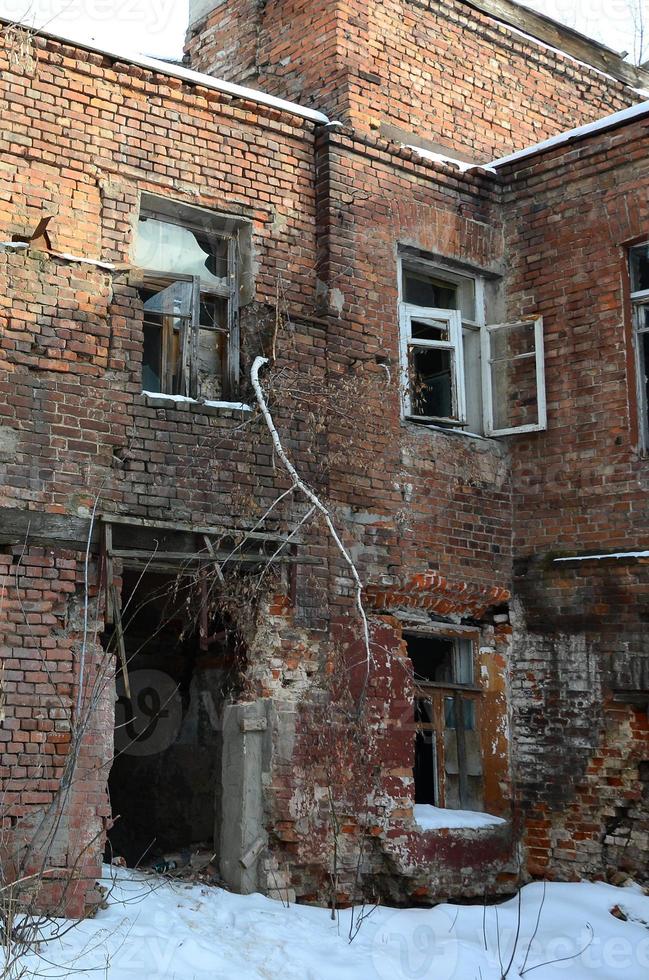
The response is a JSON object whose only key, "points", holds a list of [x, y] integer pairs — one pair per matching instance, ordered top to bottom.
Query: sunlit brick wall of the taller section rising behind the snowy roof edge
{"points": [[442, 71]]}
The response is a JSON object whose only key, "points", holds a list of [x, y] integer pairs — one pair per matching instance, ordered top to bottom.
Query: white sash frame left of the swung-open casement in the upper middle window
{"points": [[408, 313]]}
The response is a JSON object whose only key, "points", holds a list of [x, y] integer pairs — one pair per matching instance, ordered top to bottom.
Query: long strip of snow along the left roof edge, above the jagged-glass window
{"points": [[194, 77]]}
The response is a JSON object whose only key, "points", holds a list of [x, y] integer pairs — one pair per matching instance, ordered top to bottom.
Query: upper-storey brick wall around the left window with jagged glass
{"points": [[84, 139]]}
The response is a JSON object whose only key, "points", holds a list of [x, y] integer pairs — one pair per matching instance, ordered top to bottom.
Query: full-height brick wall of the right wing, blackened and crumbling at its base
{"points": [[580, 488]]}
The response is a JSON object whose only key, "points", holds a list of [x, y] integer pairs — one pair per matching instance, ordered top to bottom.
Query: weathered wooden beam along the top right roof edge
{"points": [[564, 38]]}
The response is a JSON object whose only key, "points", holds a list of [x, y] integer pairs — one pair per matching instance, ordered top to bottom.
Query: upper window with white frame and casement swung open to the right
{"points": [[457, 370]]}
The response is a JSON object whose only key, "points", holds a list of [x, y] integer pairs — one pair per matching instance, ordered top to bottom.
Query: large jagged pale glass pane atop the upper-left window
{"points": [[165, 247]]}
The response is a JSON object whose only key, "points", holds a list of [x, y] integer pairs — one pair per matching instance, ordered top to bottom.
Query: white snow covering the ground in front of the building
{"points": [[158, 929]]}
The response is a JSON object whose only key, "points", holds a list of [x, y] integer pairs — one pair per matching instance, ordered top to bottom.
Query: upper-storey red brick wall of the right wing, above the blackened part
{"points": [[571, 217]]}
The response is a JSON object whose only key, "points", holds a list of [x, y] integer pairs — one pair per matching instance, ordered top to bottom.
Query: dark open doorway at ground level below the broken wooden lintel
{"points": [[165, 779]]}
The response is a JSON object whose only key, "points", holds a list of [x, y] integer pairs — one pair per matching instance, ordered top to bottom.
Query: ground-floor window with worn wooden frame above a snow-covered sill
{"points": [[448, 758]]}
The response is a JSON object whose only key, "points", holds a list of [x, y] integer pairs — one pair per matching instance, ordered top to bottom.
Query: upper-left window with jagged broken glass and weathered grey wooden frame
{"points": [[191, 261]]}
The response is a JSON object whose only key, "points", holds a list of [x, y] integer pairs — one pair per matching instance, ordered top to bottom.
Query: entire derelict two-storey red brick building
{"points": [[429, 218]]}
